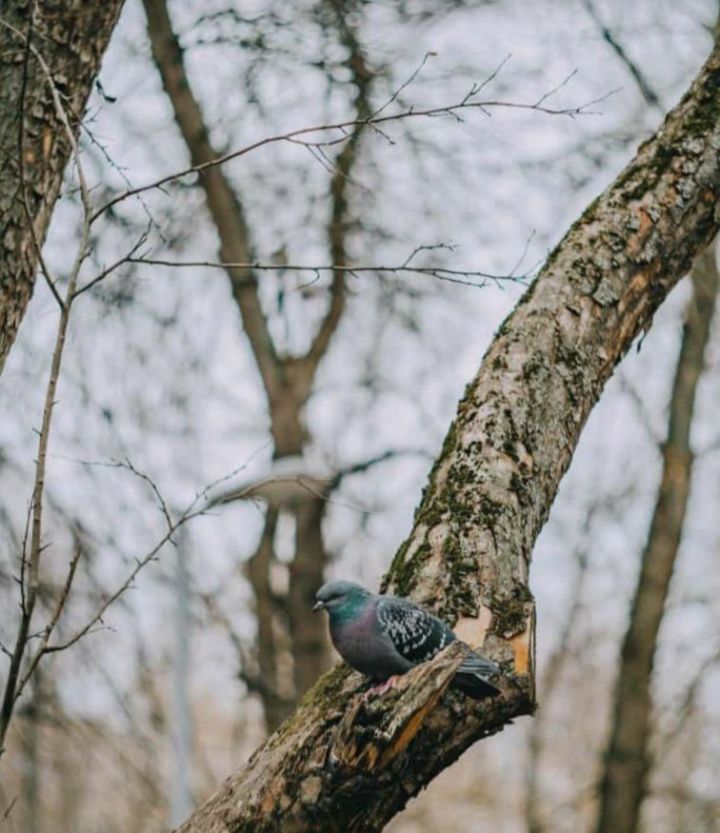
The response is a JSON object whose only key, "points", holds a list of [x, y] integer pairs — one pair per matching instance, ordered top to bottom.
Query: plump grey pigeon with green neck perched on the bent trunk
{"points": [[384, 636]]}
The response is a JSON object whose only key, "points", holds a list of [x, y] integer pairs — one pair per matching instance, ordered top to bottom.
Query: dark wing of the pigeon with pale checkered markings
{"points": [[416, 634]]}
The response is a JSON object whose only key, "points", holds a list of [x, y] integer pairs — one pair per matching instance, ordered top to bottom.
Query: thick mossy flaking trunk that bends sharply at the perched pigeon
{"points": [[491, 490]]}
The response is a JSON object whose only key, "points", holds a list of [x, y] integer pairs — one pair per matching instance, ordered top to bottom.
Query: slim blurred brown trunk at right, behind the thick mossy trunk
{"points": [[627, 763]]}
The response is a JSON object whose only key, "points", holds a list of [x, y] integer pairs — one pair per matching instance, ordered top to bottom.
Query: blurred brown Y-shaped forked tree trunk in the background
{"points": [[287, 380]]}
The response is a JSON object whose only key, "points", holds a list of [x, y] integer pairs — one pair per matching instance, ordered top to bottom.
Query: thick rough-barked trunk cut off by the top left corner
{"points": [[34, 147]]}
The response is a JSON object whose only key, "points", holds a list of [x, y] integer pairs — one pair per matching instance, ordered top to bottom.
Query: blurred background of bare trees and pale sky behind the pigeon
{"points": [[336, 389]]}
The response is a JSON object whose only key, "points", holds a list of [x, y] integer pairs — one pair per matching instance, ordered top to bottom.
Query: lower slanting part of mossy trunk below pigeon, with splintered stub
{"points": [[326, 767]]}
